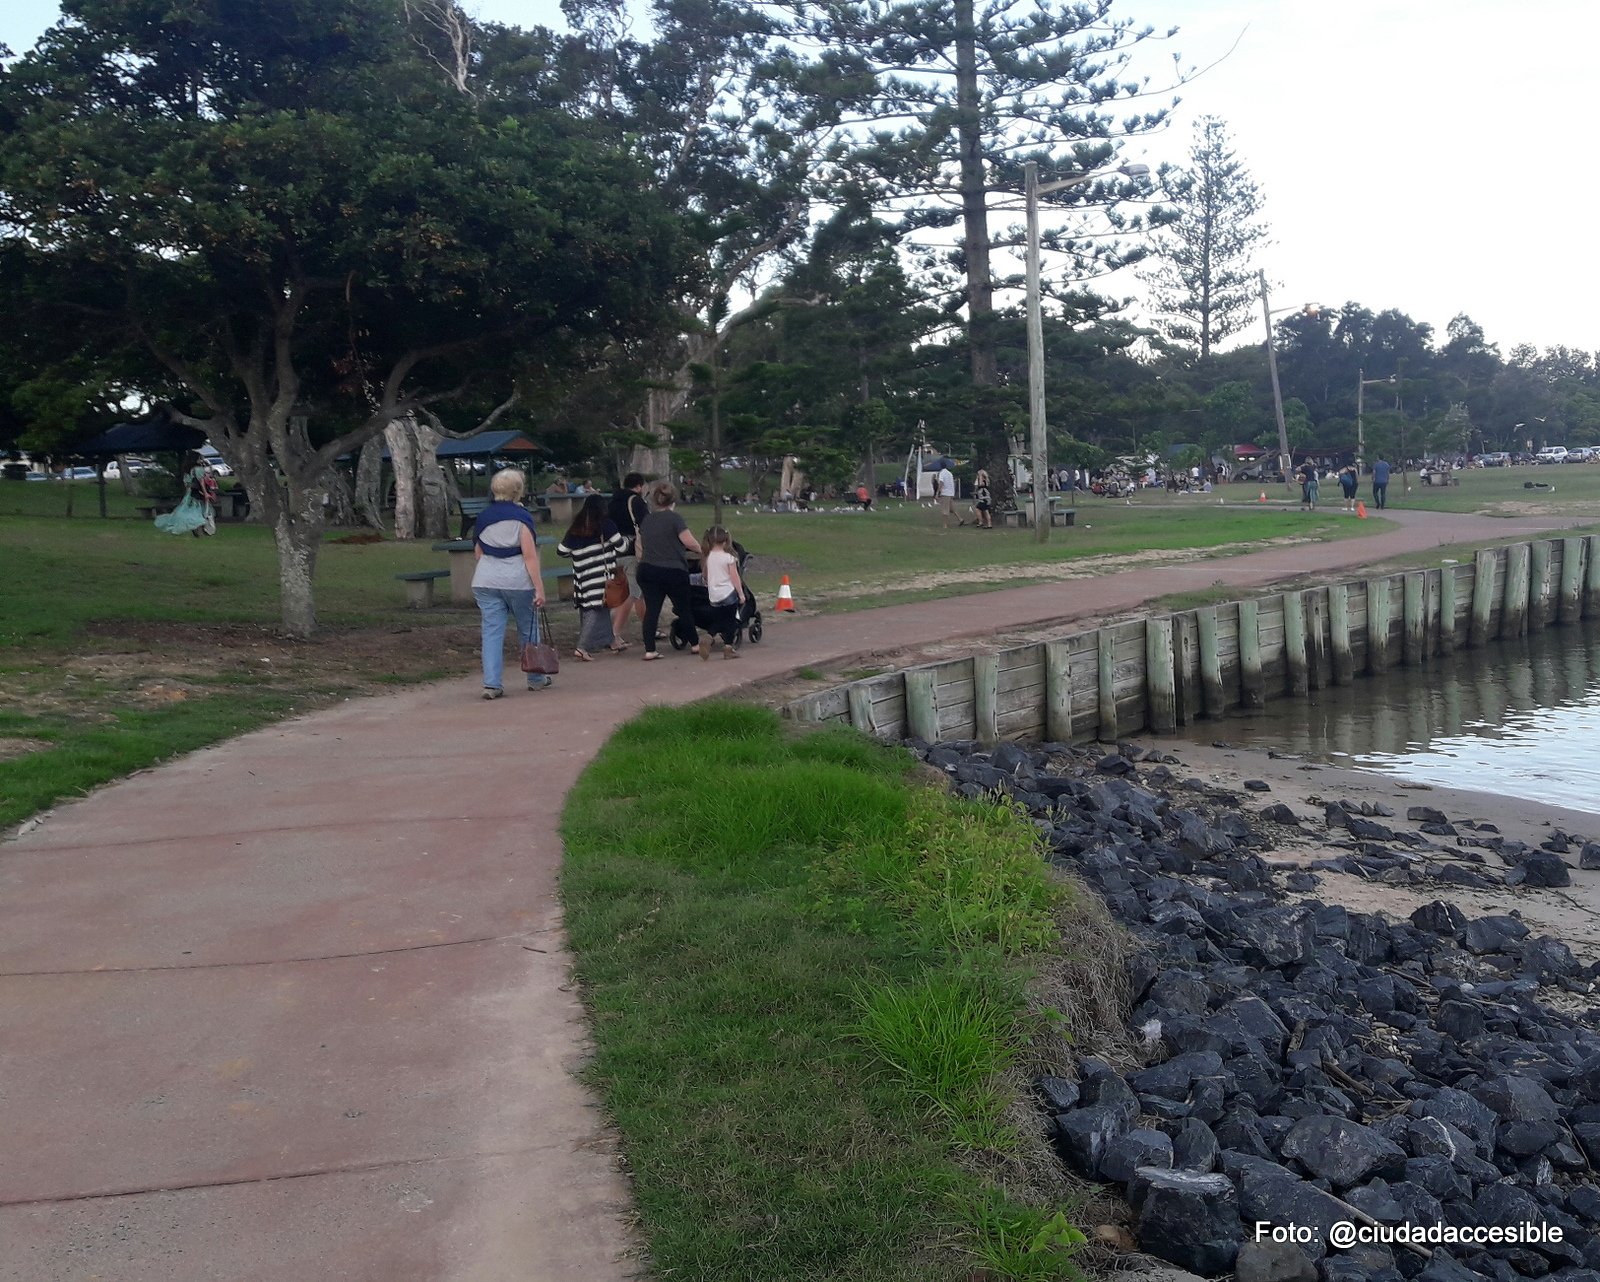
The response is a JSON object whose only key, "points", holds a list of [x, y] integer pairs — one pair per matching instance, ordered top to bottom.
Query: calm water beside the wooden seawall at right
{"points": [[1518, 719]]}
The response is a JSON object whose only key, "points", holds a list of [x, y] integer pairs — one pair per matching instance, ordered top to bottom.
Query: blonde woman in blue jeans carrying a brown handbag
{"points": [[506, 582]]}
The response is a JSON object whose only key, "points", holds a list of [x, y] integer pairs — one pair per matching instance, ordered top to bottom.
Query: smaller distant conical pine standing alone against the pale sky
{"points": [[1206, 284]]}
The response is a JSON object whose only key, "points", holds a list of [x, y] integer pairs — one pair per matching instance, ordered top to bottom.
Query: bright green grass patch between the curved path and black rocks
{"points": [[807, 974]]}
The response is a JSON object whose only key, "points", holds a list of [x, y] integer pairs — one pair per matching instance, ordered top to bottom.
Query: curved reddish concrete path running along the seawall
{"points": [[297, 1008]]}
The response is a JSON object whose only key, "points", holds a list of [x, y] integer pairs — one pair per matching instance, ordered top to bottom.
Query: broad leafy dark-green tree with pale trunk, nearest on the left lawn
{"points": [[289, 220]]}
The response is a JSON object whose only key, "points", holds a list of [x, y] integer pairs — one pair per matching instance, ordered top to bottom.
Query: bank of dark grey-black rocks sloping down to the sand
{"points": [[1305, 1067]]}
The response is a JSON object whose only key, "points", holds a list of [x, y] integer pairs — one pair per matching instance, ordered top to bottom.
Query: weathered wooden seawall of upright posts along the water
{"points": [[1170, 670]]}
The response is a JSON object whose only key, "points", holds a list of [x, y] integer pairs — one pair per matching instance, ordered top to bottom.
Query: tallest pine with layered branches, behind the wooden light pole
{"points": [[953, 97]]}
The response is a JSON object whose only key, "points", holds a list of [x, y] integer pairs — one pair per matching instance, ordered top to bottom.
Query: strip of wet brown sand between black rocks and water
{"points": [[1572, 915]]}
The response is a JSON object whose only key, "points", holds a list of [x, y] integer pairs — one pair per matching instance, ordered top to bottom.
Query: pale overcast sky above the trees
{"points": [[1433, 156]]}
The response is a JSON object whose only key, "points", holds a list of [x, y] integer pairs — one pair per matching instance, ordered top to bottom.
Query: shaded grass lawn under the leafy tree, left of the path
{"points": [[121, 646]]}
